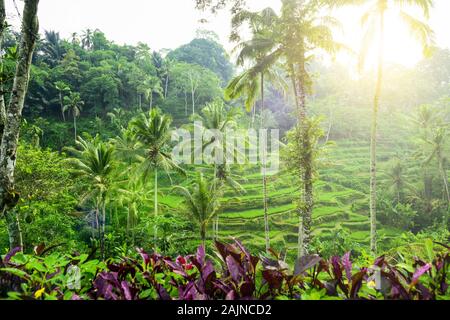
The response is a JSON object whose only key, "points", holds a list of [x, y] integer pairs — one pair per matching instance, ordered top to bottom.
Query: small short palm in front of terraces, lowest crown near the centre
{"points": [[202, 203]]}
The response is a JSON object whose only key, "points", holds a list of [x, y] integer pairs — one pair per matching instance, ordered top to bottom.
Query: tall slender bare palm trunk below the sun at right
{"points": [[373, 143]]}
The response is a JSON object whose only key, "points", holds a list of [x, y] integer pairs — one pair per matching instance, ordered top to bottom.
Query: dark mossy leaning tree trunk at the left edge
{"points": [[10, 138]]}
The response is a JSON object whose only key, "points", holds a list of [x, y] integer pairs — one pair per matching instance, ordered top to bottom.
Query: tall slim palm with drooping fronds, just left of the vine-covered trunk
{"points": [[250, 82]]}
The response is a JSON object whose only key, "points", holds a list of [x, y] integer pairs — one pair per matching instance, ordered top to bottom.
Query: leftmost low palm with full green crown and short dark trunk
{"points": [[94, 161]]}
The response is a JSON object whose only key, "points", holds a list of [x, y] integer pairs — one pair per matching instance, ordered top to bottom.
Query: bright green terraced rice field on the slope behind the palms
{"points": [[341, 202]]}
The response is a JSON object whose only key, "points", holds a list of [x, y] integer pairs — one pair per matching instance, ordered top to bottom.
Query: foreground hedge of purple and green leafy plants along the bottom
{"points": [[235, 274]]}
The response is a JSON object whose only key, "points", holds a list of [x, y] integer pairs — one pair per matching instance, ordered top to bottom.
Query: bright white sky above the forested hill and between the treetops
{"points": [[171, 23]]}
